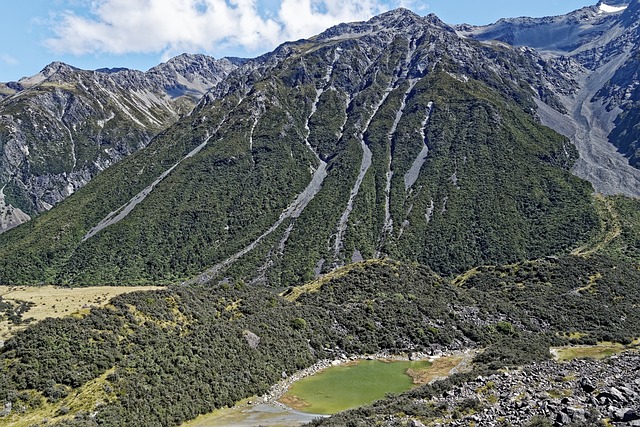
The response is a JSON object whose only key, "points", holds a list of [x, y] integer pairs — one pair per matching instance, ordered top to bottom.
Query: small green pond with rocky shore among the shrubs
{"points": [[351, 385]]}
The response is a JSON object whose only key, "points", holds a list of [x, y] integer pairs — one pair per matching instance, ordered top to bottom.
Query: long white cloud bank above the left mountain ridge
{"points": [[174, 26]]}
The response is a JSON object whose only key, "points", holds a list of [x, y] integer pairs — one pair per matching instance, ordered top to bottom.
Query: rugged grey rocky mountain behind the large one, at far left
{"points": [[61, 127]]}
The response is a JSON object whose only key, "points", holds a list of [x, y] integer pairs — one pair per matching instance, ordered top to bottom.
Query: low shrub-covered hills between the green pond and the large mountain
{"points": [[173, 354]]}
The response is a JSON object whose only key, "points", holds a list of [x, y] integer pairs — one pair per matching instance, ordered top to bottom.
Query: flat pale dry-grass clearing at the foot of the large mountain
{"points": [[51, 301]]}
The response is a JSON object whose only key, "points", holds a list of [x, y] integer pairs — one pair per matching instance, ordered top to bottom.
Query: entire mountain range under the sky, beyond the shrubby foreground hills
{"points": [[400, 136]]}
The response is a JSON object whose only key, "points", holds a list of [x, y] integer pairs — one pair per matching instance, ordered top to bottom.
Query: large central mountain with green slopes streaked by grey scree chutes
{"points": [[391, 137]]}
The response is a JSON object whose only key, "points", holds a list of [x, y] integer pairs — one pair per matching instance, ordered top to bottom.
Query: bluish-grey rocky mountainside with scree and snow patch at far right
{"points": [[595, 47]]}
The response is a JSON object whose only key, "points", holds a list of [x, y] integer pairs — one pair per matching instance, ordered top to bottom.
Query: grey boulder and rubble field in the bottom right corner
{"points": [[580, 392]]}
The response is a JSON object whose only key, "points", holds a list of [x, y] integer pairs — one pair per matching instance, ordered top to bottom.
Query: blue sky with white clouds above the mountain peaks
{"points": [[139, 34]]}
